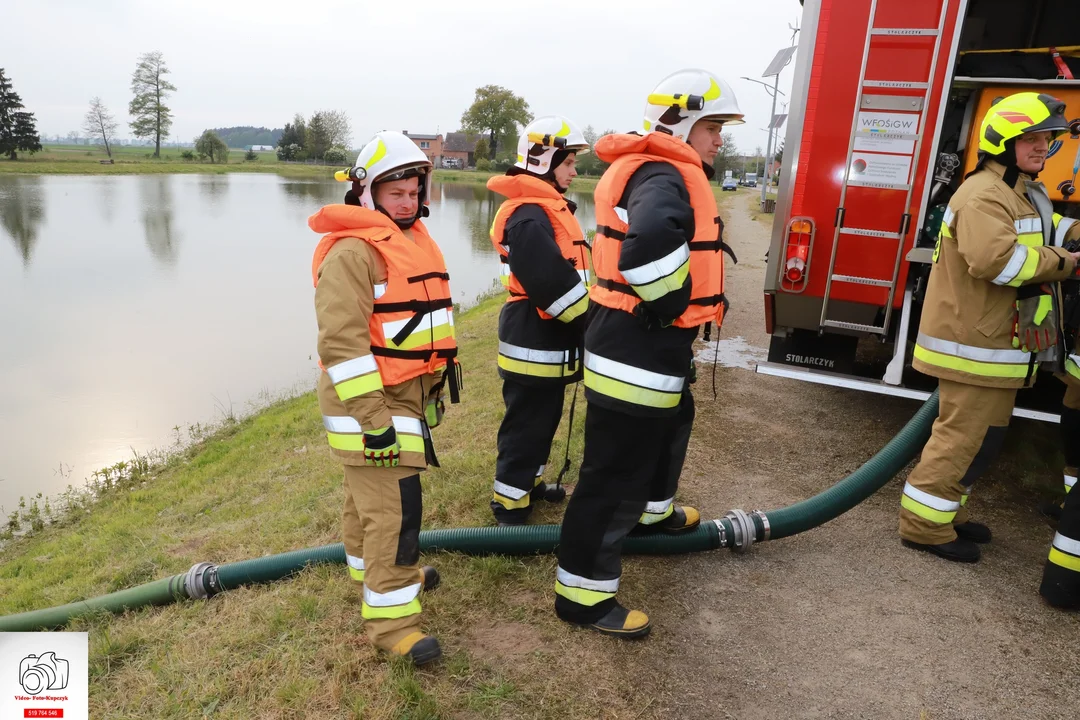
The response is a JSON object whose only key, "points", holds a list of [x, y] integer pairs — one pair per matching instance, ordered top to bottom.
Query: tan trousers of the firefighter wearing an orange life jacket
{"points": [[382, 528]]}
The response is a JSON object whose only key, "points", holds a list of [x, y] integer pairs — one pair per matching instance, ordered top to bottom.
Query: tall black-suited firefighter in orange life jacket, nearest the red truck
{"points": [[659, 263]]}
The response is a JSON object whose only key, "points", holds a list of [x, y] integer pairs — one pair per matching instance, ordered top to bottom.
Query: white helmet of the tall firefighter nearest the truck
{"points": [[687, 97]]}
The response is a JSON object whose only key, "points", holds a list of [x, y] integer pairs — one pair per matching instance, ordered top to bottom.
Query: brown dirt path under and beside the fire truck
{"points": [[843, 622]]}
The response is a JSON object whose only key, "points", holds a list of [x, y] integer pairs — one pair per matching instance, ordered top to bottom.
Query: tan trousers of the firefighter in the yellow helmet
{"points": [[967, 438]]}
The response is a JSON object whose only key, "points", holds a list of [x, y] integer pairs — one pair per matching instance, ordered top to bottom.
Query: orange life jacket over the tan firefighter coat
{"points": [[412, 324]]}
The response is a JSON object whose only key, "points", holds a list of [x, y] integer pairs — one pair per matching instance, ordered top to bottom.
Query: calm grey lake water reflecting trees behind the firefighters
{"points": [[133, 306]]}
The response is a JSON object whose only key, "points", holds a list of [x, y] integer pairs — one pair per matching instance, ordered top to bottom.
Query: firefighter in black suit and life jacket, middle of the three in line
{"points": [[545, 267]]}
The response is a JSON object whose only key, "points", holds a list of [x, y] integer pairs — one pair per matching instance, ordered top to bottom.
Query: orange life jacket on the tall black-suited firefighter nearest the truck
{"points": [[627, 154]]}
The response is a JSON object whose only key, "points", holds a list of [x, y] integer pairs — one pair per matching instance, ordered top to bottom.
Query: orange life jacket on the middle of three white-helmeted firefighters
{"points": [[522, 191]]}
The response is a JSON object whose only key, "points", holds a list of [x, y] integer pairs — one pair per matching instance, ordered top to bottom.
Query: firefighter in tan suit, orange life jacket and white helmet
{"points": [[386, 343]]}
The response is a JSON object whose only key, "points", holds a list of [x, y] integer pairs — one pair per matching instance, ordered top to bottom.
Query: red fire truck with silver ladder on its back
{"points": [[886, 107]]}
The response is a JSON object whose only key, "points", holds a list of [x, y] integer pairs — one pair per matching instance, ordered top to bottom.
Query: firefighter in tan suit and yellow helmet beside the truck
{"points": [[992, 315]]}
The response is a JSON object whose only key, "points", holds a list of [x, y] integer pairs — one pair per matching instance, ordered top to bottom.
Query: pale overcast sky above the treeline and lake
{"points": [[389, 65]]}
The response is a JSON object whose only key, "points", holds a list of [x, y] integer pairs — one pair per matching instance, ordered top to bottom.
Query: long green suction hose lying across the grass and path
{"points": [[737, 531]]}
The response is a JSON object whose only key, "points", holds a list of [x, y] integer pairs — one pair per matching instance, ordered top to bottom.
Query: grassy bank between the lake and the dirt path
{"points": [[268, 485]]}
